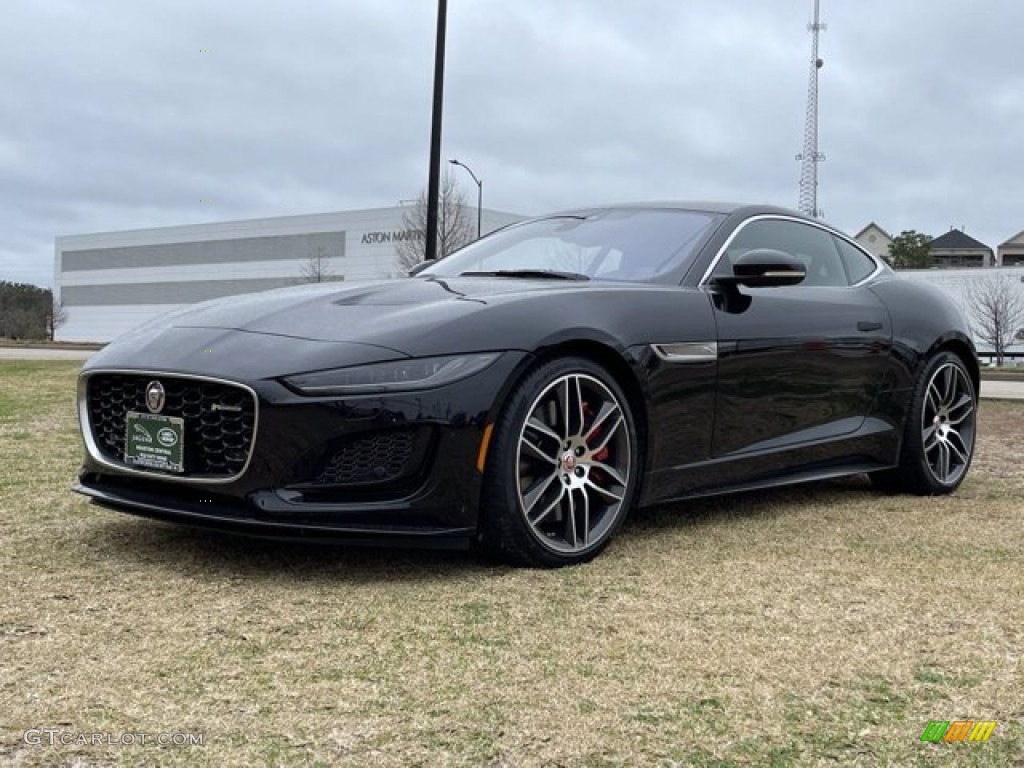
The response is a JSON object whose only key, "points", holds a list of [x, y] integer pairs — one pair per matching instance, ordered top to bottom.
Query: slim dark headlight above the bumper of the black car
{"points": [[396, 376]]}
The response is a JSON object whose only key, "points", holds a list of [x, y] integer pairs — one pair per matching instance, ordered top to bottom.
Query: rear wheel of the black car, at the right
{"points": [[941, 432]]}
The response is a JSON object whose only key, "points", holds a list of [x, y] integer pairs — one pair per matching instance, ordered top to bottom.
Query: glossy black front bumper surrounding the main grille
{"points": [[285, 492]]}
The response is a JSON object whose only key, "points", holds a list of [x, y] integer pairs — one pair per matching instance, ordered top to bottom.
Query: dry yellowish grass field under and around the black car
{"points": [[822, 626]]}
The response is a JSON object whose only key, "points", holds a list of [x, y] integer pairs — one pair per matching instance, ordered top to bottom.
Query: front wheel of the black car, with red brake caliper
{"points": [[563, 467]]}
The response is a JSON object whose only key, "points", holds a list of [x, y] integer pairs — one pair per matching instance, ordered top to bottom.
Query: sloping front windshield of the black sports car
{"points": [[637, 245]]}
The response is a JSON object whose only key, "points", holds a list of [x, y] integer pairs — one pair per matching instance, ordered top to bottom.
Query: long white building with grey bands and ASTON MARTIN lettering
{"points": [[111, 282]]}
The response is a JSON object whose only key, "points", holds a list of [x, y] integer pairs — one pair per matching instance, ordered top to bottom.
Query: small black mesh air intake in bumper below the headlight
{"points": [[377, 458]]}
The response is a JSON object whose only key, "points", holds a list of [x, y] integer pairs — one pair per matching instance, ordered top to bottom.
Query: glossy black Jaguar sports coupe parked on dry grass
{"points": [[529, 391]]}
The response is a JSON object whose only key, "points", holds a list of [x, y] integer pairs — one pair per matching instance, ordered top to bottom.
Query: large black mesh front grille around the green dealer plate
{"points": [[218, 441]]}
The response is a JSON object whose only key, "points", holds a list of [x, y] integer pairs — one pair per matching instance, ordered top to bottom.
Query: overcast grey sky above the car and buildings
{"points": [[122, 115]]}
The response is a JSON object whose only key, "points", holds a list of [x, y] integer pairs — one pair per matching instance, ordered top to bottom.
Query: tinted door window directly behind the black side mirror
{"points": [[815, 247]]}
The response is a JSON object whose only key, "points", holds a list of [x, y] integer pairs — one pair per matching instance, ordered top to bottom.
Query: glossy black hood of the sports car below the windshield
{"points": [[309, 328]]}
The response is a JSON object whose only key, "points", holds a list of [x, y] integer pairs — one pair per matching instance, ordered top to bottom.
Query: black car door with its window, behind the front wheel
{"points": [[798, 364]]}
